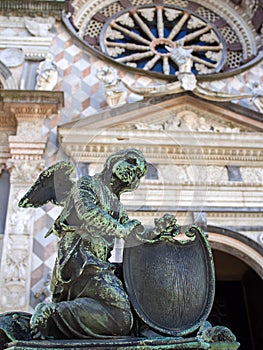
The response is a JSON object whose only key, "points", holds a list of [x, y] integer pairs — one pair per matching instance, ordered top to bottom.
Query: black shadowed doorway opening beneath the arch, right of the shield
{"points": [[238, 302]]}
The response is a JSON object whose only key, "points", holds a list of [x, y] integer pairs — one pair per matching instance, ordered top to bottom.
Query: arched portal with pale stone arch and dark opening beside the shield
{"points": [[239, 286]]}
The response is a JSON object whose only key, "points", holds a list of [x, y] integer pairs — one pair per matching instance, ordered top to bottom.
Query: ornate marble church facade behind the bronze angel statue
{"points": [[181, 81]]}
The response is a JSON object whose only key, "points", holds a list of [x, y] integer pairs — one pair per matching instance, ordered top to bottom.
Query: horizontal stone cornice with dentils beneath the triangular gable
{"points": [[162, 148]]}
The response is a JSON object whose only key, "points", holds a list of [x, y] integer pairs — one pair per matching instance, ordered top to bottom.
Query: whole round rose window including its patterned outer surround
{"points": [[141, 35]]}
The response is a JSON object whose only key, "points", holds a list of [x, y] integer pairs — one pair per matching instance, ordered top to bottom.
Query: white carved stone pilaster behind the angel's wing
{"points": [[18, 238]]}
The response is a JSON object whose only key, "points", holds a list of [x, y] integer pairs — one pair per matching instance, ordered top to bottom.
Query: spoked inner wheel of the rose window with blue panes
{"points": [[145, 38]]}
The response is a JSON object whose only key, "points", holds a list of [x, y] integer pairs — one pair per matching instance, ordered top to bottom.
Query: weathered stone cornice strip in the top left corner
{"points": [[33, 8]]}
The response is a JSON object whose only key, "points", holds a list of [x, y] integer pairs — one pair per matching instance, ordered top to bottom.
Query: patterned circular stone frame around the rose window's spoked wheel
{"points": [[236, 21]]}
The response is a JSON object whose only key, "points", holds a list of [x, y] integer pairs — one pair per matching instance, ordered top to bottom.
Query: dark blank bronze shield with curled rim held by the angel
{"points": [[171, 283]]}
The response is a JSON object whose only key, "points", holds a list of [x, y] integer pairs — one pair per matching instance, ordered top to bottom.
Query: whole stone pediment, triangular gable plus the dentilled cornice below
{"points": [[180, 128]]}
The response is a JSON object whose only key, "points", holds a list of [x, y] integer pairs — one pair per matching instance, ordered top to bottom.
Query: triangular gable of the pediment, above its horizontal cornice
{"points": [[182, 112]]}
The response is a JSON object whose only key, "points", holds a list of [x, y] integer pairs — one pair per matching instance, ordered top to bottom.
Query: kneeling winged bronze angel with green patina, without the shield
{"points": [[88, 299]]}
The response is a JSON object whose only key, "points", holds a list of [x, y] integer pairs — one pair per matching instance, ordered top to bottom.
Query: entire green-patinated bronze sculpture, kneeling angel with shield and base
{"points": [[170, 283]]}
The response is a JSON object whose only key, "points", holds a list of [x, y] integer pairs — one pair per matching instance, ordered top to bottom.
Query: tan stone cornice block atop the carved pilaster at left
{"points": [[21, 118]]}
